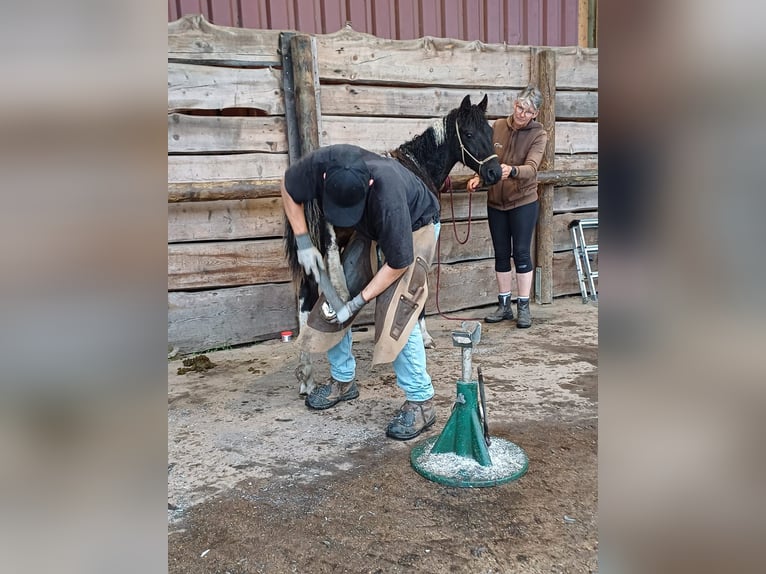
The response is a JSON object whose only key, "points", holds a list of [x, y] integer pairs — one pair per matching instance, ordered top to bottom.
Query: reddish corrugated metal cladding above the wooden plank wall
{"points": [[517, 22]]}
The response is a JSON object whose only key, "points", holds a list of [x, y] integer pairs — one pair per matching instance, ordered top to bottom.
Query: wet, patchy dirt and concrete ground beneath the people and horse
{"points": [[258, 483]]}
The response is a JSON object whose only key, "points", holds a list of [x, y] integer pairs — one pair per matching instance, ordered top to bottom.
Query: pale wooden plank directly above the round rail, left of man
{"points": [[206, 168]]}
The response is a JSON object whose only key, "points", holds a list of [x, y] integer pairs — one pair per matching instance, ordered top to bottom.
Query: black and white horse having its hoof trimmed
{"points": [[463, 135]]}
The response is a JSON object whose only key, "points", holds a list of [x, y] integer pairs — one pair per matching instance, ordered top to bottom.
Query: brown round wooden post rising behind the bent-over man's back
{"points": [[306, 83]]}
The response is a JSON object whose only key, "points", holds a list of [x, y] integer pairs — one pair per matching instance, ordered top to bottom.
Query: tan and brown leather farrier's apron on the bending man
{"points": [[396, 309]]}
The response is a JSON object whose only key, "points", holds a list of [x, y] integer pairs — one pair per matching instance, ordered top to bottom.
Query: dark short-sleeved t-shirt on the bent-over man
{"points": [[398, 203]]}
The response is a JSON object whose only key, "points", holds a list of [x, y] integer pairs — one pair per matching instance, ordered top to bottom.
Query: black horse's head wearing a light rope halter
{"points": [[473, 141]]}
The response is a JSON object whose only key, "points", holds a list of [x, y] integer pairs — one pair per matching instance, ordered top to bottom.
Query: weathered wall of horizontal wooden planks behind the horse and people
{"points": [[227, 137]]}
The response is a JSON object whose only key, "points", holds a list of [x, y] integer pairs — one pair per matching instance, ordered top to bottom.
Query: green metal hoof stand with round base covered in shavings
{"points": [[463, 454]]}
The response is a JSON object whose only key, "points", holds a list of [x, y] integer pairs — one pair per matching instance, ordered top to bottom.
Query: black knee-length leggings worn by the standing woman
{"points": [[512, 236]]}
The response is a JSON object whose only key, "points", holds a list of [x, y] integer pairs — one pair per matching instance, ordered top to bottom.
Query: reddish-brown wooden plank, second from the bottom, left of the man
{"points": [[226, 264]]}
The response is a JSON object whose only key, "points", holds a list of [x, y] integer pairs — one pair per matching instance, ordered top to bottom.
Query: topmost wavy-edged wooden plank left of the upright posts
{"points": [[193, 39]]}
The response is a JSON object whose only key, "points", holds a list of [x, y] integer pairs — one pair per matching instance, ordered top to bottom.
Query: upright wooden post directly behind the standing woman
{"points": [[545, 71]]}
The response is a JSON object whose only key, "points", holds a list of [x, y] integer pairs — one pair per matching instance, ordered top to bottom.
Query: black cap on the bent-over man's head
{"points": [[346, 183]]}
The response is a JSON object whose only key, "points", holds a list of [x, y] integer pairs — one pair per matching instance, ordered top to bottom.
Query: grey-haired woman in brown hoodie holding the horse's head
{"points": [[512, 203]]}
